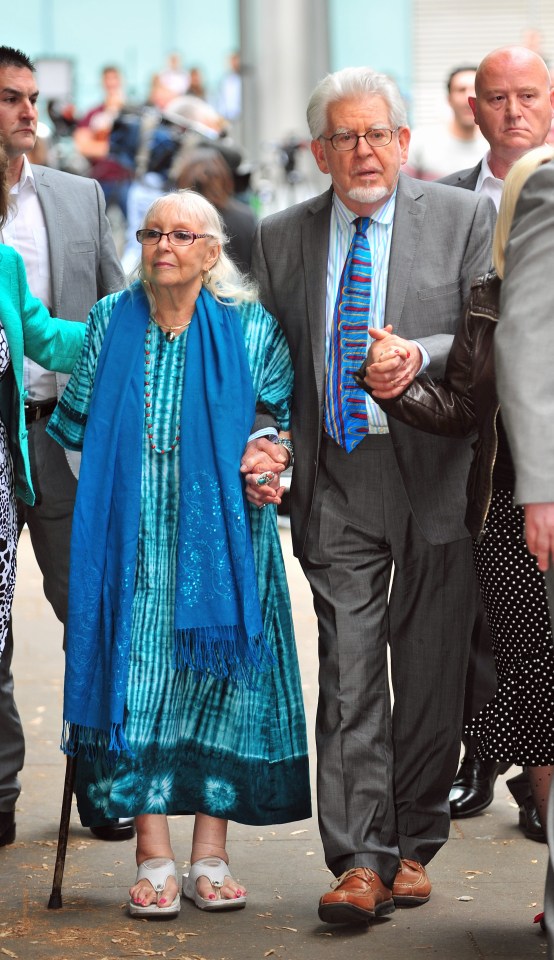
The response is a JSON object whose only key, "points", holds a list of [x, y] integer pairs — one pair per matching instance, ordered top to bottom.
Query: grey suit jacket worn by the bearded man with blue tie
{"points": [[441, 240]]}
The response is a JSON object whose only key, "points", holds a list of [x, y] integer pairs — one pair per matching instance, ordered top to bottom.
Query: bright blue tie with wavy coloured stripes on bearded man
{"points": [[345, 402]]}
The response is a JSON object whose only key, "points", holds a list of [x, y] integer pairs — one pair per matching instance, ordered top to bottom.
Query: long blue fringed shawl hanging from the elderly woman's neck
{"points": [[218, 623]]}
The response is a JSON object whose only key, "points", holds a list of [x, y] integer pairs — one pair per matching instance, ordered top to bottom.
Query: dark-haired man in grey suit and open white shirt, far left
{"points": [[59, 227]]}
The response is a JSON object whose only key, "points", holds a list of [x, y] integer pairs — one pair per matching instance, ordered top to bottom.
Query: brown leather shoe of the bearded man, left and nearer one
{"points": [[358, 896]]}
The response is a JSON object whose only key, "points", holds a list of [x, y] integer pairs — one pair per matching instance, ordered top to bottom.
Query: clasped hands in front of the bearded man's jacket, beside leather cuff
{"points": [[392, 364]]}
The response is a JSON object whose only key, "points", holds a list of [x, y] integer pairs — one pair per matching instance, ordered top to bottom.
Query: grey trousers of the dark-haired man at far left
{"points": [[49, 522]]}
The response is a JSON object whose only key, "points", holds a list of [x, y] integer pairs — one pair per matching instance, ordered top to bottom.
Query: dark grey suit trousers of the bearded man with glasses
{"points": [[384, 775]]}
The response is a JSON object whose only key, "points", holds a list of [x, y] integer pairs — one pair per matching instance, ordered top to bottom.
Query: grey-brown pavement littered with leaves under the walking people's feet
{"points": [[488, 879]]}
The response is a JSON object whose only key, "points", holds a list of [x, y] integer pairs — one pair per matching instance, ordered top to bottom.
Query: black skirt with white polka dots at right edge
{"points": [[518, 723]]}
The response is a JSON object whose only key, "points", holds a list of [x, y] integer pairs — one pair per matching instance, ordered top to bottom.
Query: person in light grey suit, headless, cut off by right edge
{"points": [[524, 348]]}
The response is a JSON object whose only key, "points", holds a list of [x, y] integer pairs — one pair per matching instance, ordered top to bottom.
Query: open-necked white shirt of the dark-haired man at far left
{"points": [[26, 232]]}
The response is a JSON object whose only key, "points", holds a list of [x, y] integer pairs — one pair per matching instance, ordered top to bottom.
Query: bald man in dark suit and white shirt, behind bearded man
{"points": [[513, 108]]}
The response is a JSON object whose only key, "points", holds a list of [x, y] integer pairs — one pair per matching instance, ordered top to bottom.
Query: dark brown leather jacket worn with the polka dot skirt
{"points": [[465, 402]]}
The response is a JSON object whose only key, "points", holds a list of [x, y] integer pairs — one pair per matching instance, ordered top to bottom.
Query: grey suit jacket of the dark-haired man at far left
{"points": [[84, 265]]}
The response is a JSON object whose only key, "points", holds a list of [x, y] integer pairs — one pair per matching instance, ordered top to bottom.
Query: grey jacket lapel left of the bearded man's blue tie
{"points": [[315, 251]]}
